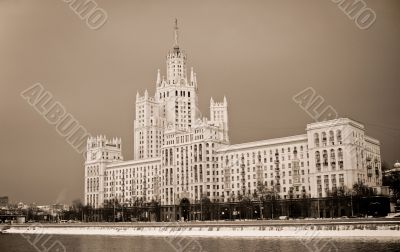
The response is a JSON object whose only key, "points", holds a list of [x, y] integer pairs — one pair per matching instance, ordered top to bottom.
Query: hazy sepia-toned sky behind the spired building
{"points": [[257, 53]]}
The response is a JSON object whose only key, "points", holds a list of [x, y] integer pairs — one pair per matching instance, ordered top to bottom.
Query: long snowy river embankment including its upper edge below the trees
{"points": [[302, 228]]}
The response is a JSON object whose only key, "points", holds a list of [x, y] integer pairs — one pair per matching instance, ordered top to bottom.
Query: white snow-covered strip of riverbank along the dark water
{"points": [[340, 230]]}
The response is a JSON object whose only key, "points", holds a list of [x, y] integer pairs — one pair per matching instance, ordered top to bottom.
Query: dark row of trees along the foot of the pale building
{"points": [[262, 204]]}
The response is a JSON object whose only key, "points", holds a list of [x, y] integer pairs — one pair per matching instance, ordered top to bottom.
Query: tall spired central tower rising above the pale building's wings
{"points": [[173, 108]]}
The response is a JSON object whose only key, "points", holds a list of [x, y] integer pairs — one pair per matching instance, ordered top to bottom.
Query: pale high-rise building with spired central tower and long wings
{"points": [[180, 155]]}
